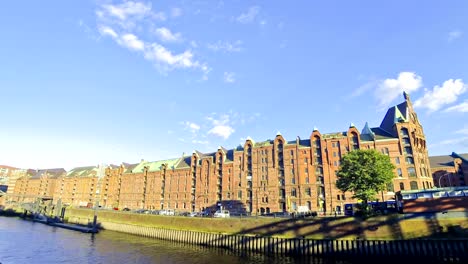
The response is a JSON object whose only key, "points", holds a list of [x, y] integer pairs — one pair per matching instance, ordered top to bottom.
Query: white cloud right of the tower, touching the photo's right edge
{"points": [[439, 96]]}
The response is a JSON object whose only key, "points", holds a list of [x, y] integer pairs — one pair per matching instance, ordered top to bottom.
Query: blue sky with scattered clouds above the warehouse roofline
{"points": [[88, 82]]}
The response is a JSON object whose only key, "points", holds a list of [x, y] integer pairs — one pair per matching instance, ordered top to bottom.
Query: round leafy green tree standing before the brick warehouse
{"points": [[365, 173]]}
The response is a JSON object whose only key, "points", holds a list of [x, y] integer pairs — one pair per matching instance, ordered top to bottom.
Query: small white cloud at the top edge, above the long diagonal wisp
{"points": [[128, 9]]}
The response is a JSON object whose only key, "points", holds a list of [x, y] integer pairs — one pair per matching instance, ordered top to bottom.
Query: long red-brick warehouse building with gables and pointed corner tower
{"points": [[259, 177]]}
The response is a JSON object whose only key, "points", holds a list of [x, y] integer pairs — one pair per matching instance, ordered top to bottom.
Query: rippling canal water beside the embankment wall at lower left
{"points": [[23, 241]]}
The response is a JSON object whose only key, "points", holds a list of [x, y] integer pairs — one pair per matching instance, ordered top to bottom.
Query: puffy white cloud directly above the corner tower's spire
{"points": [[389, 89]]}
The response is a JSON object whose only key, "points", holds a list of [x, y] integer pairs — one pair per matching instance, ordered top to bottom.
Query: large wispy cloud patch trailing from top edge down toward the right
{"points": [[118, 21]]}
